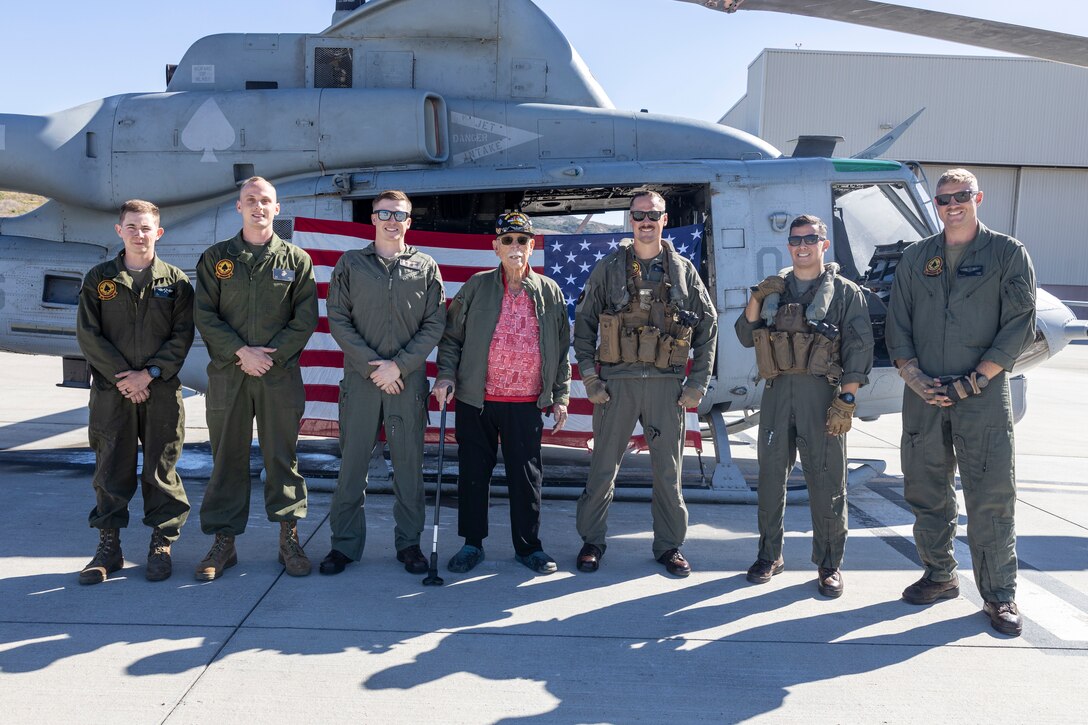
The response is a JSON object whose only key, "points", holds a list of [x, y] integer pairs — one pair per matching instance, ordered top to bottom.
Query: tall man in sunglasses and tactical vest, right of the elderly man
{"points": [[651, 312]]}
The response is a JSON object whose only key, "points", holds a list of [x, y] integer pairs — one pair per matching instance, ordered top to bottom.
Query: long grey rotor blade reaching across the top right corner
{"points": [[1020, 40]]}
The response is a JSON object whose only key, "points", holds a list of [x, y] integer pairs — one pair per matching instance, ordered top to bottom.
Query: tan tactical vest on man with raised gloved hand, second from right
{"points": [[797, 346]]}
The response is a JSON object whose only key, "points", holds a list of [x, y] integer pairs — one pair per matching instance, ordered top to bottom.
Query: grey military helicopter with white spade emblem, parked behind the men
{"points": [[472, 108]]}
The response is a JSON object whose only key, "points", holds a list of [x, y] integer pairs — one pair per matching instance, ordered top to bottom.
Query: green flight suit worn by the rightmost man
{"points": [[951, 321]]}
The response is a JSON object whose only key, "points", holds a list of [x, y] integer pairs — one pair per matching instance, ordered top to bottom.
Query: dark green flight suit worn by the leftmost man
{"points": [[122, 329]]}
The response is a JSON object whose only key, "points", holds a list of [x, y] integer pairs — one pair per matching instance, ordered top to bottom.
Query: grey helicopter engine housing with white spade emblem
{"points": [[88, 155]]}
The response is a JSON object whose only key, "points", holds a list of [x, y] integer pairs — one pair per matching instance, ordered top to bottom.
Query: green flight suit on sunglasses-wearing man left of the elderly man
{"points": [[380, 313]]}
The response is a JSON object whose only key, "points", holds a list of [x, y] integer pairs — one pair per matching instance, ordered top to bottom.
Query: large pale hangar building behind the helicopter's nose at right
{"points": [[1019, 125]]}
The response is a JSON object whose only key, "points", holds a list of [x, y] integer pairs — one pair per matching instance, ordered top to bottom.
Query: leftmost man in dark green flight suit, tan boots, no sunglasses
{"points": [[135, 327]]}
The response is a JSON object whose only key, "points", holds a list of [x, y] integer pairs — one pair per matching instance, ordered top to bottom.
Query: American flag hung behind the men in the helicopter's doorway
{"points": [[566, 259]]}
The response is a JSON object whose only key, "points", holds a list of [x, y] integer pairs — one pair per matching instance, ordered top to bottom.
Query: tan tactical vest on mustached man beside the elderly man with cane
{"points": [[650, 329]]}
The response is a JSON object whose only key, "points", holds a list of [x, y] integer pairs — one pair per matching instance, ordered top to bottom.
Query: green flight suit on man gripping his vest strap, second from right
{"points": [[794, 419]]}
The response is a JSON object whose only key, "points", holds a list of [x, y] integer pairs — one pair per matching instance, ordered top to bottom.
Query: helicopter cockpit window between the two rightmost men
{"points": [[870, 215]]}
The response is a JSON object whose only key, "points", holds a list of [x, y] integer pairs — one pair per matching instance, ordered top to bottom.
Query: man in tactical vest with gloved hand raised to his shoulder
{"points": [[814, 347]]}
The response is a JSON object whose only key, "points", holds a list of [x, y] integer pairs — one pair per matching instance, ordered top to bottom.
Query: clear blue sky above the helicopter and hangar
{"points": [[665, 56]]}
